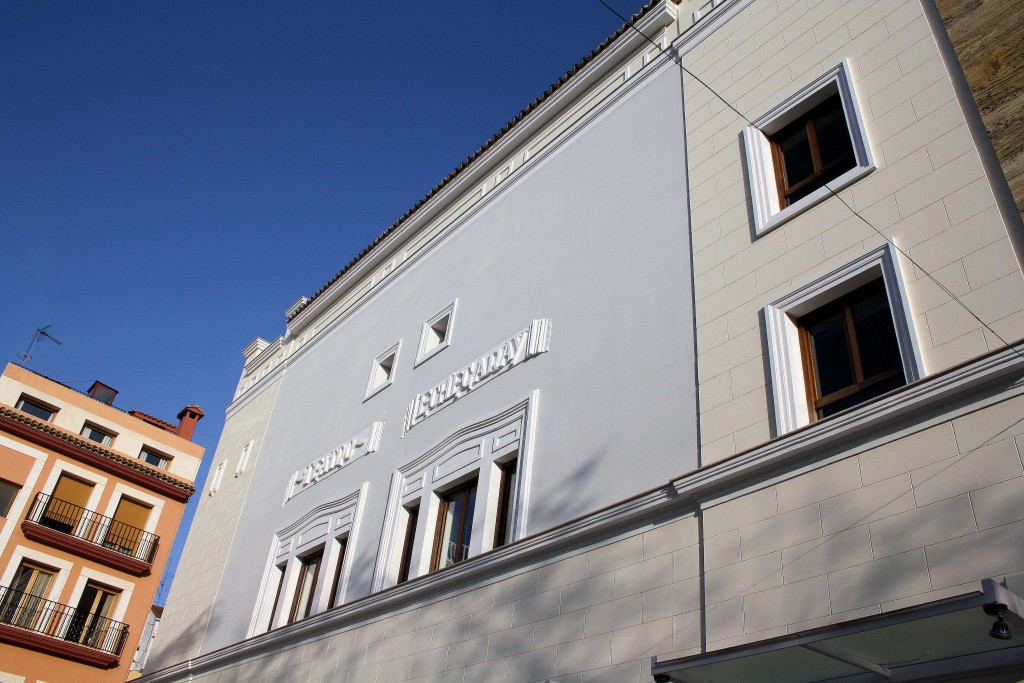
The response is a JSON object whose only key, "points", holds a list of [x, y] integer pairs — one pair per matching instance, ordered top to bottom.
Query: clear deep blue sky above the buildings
{"points": [[175, 175]]}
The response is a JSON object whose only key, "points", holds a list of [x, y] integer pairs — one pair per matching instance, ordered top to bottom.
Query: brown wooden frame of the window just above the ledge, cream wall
{"points": [[861, 385]]}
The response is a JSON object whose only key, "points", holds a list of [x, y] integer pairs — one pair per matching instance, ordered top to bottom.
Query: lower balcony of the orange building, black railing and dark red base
{"points": [[60, 630]]}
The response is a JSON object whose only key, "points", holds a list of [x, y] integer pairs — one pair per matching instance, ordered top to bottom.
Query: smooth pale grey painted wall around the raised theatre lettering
{"points": [[593, 237]]}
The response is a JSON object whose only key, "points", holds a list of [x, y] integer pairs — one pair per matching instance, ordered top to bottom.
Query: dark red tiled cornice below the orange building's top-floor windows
{"points": [[46, 435]]}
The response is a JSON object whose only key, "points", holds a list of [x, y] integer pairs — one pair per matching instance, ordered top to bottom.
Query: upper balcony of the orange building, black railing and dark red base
{"points": [[88, 534]]}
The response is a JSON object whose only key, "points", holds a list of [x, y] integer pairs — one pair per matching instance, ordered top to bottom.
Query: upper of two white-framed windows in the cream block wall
{"points": [[814, 139]]}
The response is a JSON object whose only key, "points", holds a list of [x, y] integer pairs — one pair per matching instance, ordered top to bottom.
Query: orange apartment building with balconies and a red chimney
{"points": [[91, 498]]}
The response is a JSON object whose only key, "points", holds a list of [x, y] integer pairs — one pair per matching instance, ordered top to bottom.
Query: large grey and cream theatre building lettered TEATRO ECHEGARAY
{"points": [[651, 390]]}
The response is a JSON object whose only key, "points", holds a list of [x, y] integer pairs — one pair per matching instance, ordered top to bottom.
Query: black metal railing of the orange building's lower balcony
{"points": [[34, 614]]}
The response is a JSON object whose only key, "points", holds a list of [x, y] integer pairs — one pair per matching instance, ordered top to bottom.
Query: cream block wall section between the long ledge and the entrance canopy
{"points": [[903, 524]]}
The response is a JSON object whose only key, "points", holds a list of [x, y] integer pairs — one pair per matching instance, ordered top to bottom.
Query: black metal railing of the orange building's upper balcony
{"points": [[94, 528]]}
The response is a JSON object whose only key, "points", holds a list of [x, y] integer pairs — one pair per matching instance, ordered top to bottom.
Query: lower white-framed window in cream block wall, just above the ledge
{"points": [[841, 339]]}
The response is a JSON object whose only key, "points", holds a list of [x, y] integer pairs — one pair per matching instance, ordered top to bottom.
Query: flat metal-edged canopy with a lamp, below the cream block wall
{"points": [[944, 638]]}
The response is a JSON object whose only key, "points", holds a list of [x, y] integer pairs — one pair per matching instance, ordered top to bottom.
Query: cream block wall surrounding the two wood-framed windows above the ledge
{"points": [[929, 194]]}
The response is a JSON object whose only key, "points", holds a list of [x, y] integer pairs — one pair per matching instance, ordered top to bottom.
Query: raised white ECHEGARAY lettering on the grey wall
{"points": [[524, 346]]}
